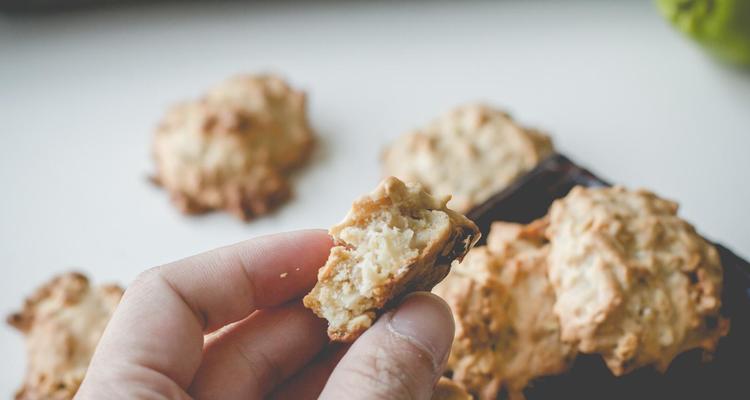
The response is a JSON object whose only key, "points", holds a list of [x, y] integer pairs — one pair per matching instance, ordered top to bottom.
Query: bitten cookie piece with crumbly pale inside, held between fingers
{"points": [[397, 240]]}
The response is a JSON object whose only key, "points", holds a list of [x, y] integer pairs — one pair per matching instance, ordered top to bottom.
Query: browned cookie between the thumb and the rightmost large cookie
{"points": [[506, 331]]}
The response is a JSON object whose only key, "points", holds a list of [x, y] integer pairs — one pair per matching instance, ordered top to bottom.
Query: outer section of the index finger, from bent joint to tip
{"points": [[227, 284]]}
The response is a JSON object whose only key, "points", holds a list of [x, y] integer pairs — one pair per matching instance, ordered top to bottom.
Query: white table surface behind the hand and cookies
{"points": [[80, 93]]}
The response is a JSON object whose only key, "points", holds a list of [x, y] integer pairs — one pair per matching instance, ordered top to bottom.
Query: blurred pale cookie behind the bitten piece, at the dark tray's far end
{"points": [[471, 153]]}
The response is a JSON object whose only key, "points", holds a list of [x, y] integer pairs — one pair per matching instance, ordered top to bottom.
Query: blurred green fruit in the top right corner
{"points": [[721, 26]]}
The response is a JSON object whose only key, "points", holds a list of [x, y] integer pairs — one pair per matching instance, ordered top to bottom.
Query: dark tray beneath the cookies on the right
{"points": [[726, 376]]}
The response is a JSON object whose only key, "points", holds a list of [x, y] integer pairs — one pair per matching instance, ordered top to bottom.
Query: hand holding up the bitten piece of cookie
{"points": [[262, 342]]}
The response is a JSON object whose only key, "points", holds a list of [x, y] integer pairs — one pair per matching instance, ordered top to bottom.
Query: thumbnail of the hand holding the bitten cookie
{"points": [[426, 320]]}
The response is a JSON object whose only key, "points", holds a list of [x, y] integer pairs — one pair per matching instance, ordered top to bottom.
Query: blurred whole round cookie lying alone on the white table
{"points": [[233, 148]]}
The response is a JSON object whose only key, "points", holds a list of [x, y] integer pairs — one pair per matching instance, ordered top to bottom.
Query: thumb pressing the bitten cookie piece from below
{"points": [[400, 357]]}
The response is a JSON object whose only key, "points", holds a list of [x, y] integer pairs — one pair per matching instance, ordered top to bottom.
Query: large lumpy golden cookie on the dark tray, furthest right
{"points": [[634, 282]]}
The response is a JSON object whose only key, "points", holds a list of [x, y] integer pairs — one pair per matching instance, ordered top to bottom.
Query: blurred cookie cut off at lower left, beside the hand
{"points": [[62, 321]]}
